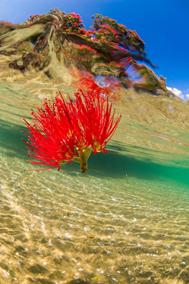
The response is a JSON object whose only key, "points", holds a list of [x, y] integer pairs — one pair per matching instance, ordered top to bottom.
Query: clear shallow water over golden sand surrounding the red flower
{"points": [[125, 221]]}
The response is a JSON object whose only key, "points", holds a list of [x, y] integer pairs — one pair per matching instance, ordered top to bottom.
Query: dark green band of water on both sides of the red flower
{"points": [[117, 163]]}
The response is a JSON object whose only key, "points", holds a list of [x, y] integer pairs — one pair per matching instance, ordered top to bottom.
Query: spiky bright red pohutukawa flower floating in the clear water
{"points": [[70, 130]]}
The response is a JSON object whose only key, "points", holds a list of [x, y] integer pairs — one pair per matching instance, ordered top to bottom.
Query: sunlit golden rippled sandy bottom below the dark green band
{"points": [[71, 233]]}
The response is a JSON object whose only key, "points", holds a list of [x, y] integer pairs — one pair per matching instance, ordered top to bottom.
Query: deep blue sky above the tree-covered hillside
{"points": [[162, 24]]}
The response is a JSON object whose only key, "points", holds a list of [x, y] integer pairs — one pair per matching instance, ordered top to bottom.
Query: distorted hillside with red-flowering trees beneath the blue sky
{"points": [[57, 47]]}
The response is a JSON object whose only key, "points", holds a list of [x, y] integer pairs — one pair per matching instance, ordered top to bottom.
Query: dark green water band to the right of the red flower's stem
{"points": [[115, 164]]}
